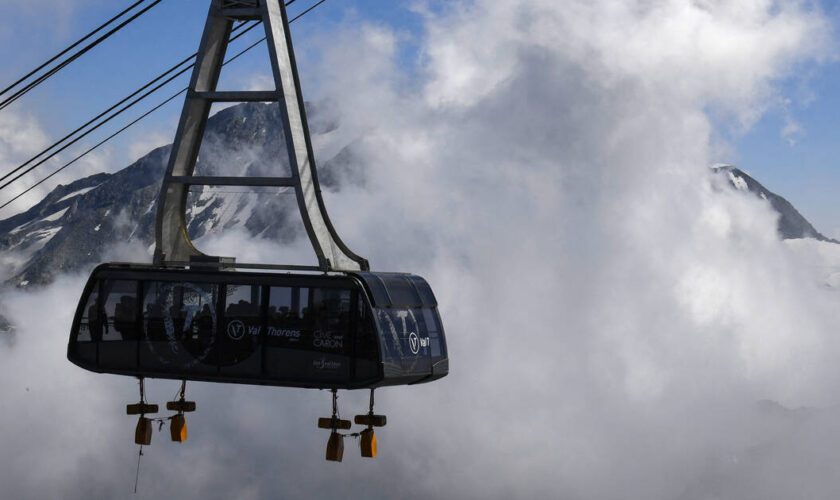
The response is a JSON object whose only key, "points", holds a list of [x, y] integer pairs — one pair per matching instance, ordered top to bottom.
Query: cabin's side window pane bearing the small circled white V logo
{"points": [[240, 337]]}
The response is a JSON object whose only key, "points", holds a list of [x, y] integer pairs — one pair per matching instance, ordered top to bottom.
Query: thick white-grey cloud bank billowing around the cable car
{"points": [[620, 325]]}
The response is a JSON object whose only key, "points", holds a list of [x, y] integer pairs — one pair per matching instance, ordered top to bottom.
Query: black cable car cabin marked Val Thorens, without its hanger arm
{"points": [[348, 330]]}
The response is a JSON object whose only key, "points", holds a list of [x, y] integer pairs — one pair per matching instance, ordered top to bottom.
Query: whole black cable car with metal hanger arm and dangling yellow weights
{"points": [[191, 316]]}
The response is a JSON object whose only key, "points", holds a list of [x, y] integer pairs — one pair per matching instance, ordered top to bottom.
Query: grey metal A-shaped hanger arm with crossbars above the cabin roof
{"points": [[172, 241]]}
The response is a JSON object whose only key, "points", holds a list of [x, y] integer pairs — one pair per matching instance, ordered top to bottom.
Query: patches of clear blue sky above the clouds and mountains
{"points": [[801, 167]]}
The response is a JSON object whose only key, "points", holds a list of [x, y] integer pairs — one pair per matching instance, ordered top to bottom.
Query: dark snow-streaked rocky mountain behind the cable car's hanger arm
{"points": [[72, 226]]}
